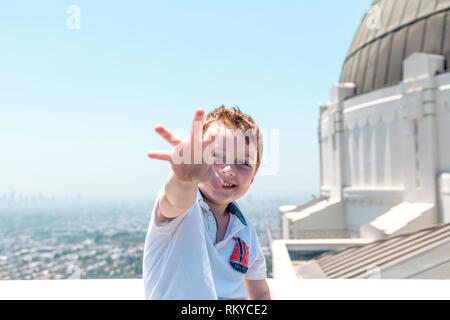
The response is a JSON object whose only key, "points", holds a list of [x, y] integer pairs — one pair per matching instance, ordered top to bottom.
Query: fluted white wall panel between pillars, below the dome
{"points": [[372, 145]]}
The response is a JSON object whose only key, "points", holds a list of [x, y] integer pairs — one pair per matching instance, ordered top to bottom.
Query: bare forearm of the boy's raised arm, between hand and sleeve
{"points": [[179, 195]]}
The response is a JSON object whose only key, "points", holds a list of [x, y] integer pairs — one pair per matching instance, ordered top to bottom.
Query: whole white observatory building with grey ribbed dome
{"points": [[384, 155]]}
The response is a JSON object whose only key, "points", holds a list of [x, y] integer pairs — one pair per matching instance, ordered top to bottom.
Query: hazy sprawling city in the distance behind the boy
{"points": [[84, 239]]}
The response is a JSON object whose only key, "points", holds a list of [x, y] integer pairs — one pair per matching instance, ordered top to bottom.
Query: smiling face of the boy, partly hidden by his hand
{"points": [[234, 162]]}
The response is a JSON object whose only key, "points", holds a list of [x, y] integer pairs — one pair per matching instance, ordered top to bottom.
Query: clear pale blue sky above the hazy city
{"points": [[78, 107]]}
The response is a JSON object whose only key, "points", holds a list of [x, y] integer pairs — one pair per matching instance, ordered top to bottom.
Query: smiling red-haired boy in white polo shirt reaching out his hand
{"points": [[199, 245]]}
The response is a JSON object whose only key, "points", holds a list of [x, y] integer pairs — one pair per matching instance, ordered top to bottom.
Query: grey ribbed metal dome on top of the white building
{"points": [[390, 32]]}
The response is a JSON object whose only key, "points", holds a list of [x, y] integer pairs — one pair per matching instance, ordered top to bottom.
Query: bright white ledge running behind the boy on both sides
{"points": [[289, 289]]}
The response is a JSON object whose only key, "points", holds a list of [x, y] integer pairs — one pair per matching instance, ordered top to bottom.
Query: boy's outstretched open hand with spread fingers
{"points": [[190, 163]]}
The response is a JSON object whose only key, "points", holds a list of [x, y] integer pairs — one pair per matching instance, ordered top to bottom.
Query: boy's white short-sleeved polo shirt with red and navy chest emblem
{"points": [[183, 261]]}
